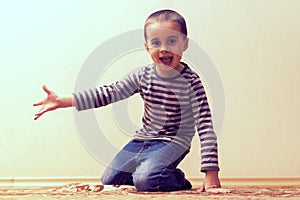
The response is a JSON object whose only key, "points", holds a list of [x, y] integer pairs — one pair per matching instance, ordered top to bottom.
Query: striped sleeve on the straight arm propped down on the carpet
{"points": [[204, 127]]}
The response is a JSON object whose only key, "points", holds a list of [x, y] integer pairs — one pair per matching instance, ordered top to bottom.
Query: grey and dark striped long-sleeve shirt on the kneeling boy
{"points": [[173, 108]]}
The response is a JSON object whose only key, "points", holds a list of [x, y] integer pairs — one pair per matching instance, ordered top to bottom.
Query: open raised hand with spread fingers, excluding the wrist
{"points": [[48, 104]]}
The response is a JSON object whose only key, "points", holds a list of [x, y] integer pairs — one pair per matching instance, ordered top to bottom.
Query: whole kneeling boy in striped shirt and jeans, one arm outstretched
{"points": [[175, 104]]}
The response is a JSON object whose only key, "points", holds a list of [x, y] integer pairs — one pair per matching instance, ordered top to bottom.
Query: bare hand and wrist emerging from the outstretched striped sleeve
{"points": [[52, 102]]}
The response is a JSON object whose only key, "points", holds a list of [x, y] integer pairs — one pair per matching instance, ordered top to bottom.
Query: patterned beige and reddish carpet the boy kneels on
{"points": [[83, 192]]}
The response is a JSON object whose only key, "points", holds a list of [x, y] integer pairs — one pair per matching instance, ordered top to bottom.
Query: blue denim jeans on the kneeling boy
{"points": [[149, 166]]}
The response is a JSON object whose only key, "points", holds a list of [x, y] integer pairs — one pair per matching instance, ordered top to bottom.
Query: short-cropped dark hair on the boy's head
{"points": [[166, 16]]}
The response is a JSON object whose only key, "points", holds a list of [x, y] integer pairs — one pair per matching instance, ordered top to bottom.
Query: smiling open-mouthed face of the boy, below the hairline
{"points": [[165, 43]]}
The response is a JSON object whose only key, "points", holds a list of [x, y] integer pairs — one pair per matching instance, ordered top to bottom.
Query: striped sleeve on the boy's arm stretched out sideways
{"points": [[107, 94]]}
